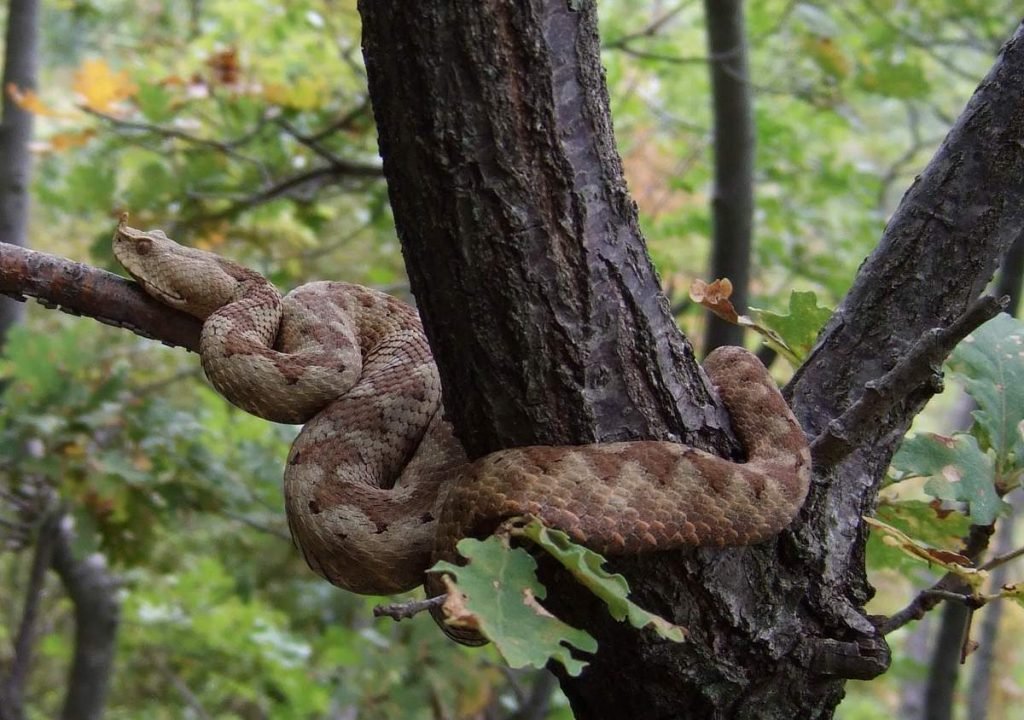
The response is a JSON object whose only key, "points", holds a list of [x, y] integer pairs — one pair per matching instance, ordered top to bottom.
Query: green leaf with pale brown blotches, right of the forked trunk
{"points": [[958, 472]]}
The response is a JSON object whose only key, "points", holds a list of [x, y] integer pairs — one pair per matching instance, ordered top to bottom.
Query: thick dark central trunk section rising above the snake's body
{"points": [[507, 189]]}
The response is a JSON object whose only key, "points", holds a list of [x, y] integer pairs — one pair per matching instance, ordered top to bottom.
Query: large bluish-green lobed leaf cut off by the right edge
{"points": [[990, 363]]}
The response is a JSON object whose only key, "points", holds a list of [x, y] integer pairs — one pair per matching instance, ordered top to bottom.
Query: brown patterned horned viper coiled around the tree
{"points": [[376, 486]]}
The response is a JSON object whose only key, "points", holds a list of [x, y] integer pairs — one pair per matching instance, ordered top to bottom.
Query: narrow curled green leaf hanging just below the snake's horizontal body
{"points": [[586, 567]]}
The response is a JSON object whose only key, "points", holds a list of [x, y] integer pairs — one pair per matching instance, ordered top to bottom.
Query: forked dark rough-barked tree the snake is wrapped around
{"points": [[525, 255]]}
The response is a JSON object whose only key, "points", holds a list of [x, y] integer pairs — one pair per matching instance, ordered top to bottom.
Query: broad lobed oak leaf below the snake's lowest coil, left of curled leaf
{"points": [[502, 592]]}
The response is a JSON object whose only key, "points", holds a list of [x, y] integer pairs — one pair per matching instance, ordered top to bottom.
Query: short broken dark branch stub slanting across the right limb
{"points": [[919, 366]]}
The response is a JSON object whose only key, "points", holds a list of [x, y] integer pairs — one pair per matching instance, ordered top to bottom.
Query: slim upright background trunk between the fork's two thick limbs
{"points": [[733, 200]]}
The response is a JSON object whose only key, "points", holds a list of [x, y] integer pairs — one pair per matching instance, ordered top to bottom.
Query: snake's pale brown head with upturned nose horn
{"points": [[187, 279]]}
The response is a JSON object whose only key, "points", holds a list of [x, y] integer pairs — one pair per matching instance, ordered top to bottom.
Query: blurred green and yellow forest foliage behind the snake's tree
{"points": [[244, 128]]}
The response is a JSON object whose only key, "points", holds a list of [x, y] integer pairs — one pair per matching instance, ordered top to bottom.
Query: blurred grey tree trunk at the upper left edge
{"points": [[16, 133]]}
